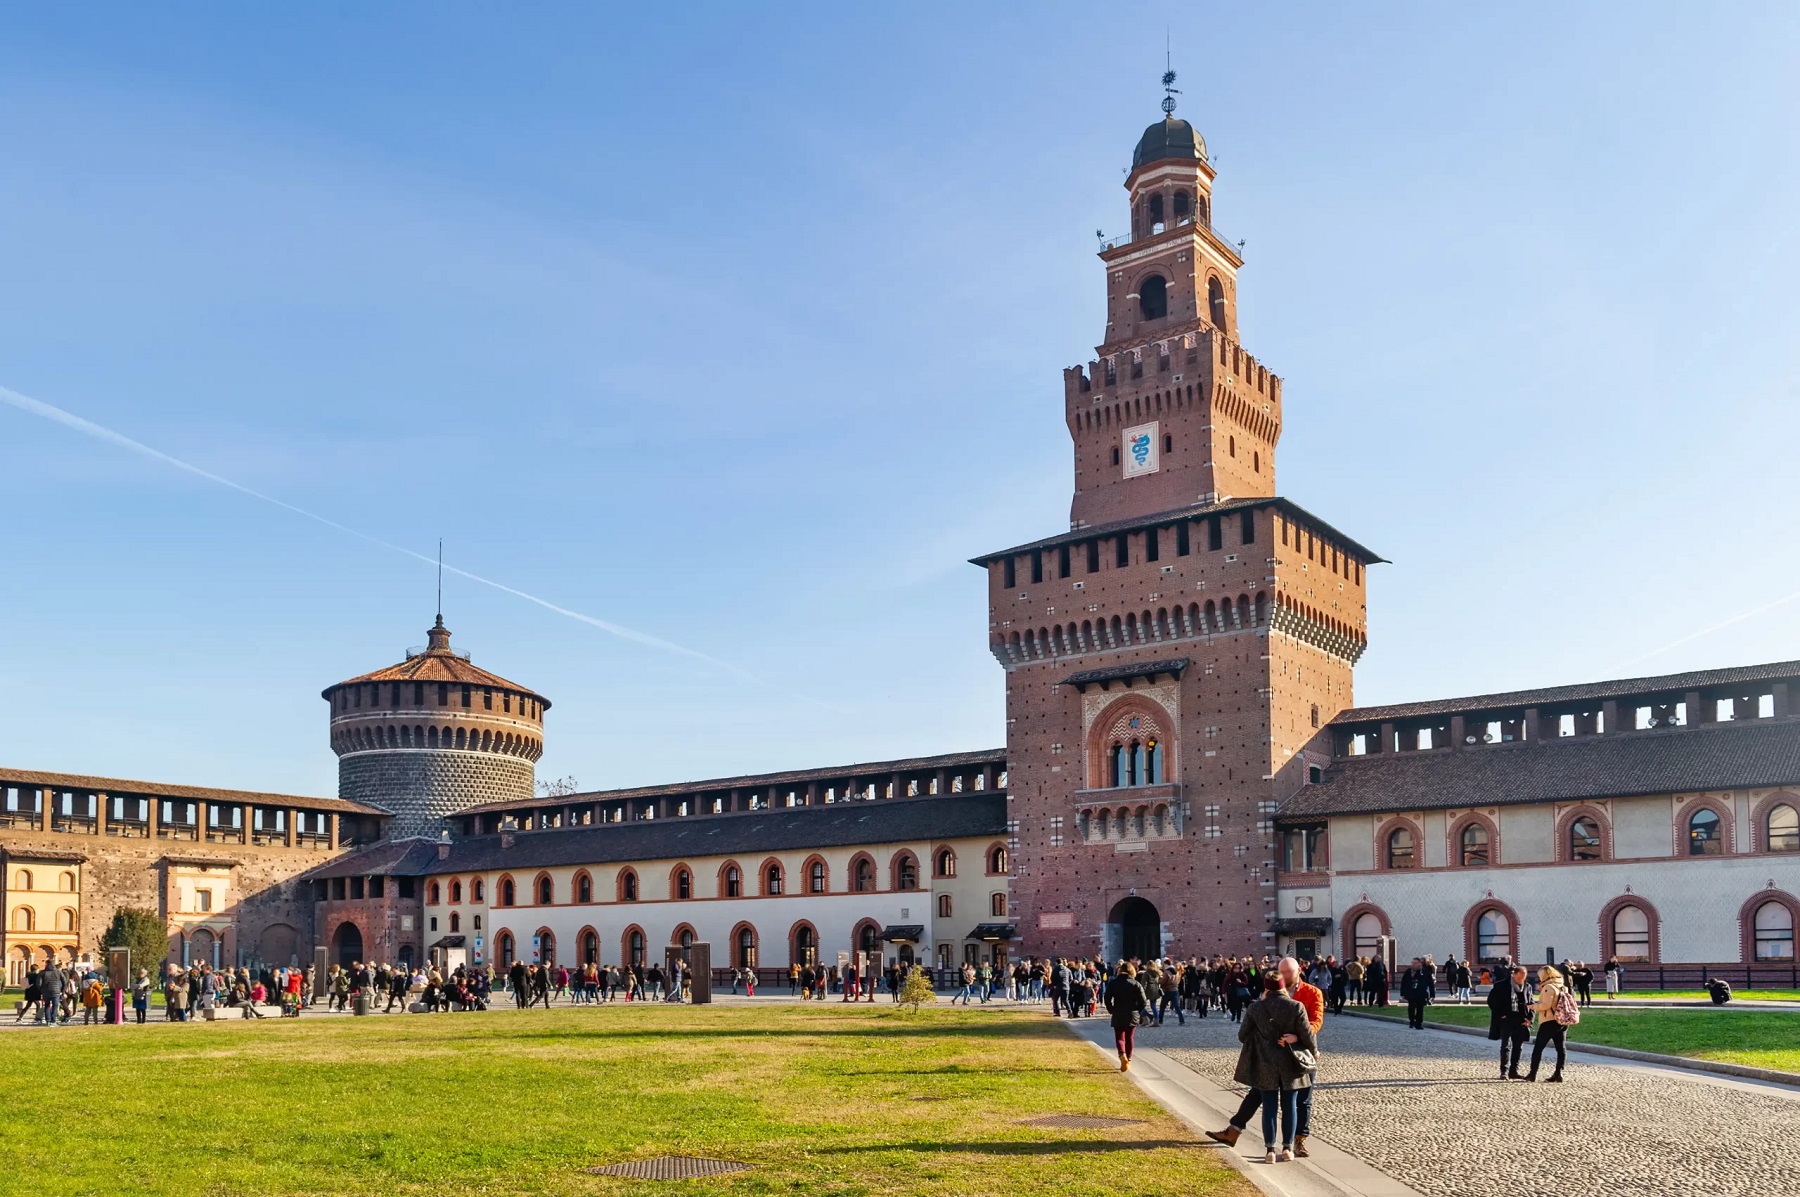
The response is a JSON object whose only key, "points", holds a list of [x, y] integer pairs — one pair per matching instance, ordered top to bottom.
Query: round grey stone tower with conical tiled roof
{"points": [[435, 735]]}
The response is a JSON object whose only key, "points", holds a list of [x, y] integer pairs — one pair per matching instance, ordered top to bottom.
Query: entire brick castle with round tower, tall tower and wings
{"points": [[1185, 769]]}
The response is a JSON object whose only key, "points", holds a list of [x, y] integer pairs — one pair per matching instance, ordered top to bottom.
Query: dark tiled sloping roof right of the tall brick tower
{"points": [[1678, 760]]}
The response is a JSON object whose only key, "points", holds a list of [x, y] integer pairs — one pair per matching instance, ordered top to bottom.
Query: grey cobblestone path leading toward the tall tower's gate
{"points": [[1430, 1110]]}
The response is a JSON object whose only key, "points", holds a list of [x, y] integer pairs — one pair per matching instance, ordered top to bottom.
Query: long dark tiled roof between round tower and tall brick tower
{"points": [[751, 836]]}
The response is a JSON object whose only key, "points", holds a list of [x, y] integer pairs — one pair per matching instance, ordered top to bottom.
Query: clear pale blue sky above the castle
{"points": [[744, 330]]}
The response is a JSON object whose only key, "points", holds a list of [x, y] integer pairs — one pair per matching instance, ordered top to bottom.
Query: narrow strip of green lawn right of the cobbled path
{"points": [[1754, 1038]]}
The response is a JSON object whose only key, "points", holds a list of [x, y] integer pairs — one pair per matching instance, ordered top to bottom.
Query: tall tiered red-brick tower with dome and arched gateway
{"points": [[1169, 658]]}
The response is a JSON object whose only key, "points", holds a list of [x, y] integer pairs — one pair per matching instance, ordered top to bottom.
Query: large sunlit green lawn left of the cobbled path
{"points": [[820, 1101]]}
